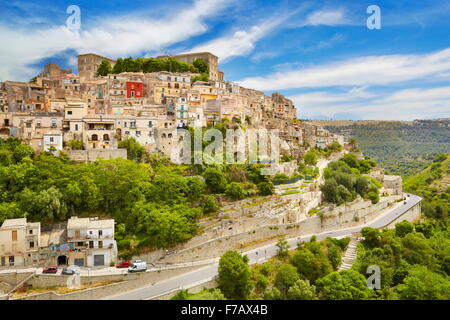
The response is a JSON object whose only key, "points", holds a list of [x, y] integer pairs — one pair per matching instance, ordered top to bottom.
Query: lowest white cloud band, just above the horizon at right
{"points": [[359, 103]]}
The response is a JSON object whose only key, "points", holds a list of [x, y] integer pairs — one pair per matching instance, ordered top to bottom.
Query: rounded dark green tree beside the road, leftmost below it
{"points": [[234, 276]]}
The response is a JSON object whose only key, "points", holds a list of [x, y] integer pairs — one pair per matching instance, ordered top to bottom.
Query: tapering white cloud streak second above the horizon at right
{"points": [[364, 71]]}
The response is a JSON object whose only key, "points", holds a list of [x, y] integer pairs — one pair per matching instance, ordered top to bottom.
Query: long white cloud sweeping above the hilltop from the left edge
{"points": [[114, 36]]}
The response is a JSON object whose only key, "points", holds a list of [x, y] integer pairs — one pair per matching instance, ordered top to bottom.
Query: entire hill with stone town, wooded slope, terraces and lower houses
{"points": [[106, 207]]}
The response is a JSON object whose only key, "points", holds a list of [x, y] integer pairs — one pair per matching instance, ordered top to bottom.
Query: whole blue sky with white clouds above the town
{"points": [[319, 53]]}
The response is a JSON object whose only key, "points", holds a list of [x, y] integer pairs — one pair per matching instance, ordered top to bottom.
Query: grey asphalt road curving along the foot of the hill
{"points": [[257, 256]]}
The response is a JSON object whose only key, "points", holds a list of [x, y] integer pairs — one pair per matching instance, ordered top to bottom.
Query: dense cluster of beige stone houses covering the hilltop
{"points": [[88, 114]]}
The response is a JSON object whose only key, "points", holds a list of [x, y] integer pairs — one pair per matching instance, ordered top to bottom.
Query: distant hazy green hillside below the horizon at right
{"points": [[401, 148]]}
